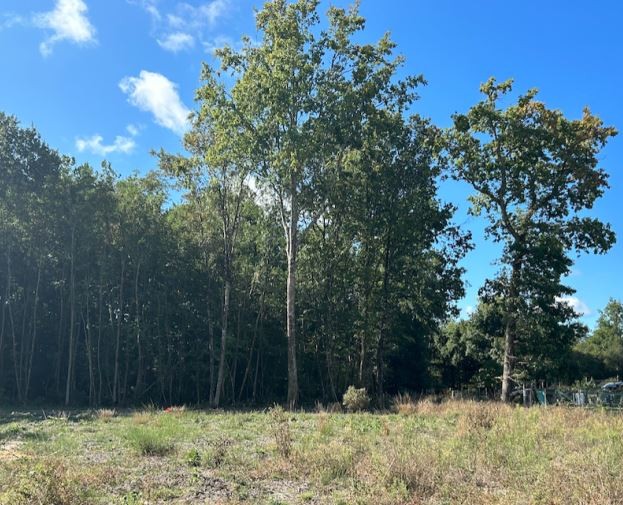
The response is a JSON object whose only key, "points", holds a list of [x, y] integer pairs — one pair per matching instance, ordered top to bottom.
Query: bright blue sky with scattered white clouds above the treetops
{"points": [[114, 79]]}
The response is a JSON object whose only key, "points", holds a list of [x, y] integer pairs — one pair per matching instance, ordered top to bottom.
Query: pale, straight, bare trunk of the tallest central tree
{"points": [[292, 243]]}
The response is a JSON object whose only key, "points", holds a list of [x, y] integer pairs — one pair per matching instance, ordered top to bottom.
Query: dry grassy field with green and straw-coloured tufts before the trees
{"points": [[425, 453]]}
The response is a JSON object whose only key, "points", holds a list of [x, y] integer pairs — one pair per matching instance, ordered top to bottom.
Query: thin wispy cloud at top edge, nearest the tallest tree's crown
{"points": [[180, 28]]}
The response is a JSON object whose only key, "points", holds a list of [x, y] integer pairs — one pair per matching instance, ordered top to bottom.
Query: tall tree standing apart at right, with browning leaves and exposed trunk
{"points": [[535, 173]]}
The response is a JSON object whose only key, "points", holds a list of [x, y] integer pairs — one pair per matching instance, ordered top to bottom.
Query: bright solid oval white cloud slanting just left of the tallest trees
{"points": [[153, 92]]}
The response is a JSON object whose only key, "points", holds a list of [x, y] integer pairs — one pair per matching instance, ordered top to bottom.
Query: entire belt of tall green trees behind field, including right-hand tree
{"points": [[308, 249]]}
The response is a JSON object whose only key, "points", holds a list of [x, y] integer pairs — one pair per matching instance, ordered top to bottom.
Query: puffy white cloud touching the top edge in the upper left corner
{"points": [[68, 21]]}
